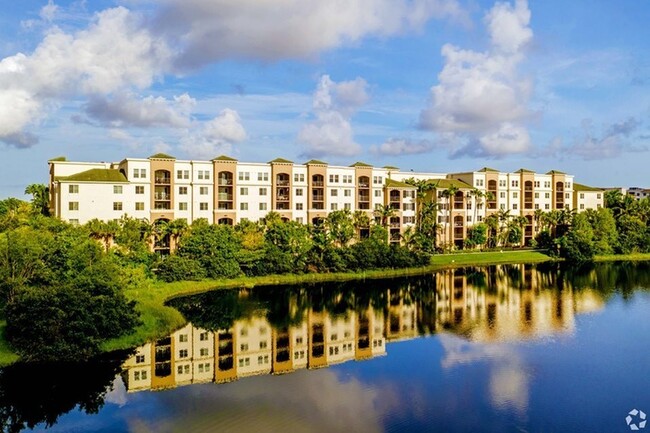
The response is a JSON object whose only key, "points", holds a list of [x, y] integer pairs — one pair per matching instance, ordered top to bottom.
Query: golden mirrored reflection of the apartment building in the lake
{"points": [[497, 303]]}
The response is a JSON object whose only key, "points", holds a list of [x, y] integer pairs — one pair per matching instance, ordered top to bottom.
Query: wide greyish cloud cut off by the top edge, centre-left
{"points": [[210, 30]]}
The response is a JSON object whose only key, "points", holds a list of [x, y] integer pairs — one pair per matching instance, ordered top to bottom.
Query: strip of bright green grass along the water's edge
{"points": [[159, 320]]}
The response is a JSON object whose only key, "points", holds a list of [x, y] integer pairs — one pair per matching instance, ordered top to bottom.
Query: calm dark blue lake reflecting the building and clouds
{"points": [[495, 349]]}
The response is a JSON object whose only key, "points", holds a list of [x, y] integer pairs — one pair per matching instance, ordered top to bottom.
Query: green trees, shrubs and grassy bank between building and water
{"points": [[70, 292]]}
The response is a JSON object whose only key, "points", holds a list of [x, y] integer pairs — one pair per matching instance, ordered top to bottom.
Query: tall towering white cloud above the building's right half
{"points": [[480, 96]]}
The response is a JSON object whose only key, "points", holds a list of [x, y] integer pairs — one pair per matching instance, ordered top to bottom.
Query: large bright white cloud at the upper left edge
{"points": [[113, 53]]}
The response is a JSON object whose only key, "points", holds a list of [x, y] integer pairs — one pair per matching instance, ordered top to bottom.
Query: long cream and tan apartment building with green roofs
{"points": [[227, 191]]}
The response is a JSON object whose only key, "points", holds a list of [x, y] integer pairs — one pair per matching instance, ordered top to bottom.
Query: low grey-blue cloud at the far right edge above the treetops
{"points": [[614, 140]]}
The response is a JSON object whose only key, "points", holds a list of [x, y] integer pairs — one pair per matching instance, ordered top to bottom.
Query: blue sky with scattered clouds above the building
{"points": [[425, 85]]}
